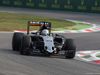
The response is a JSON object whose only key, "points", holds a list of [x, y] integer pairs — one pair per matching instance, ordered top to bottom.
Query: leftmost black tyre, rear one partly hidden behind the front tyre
{"points": [[16, 41]]}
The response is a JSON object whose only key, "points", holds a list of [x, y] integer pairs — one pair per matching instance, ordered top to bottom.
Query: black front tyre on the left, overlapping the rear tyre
{"points": [[25, 45]]}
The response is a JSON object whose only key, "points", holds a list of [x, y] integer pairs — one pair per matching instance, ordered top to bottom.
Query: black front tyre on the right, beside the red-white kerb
{"points": [[70, 48]]}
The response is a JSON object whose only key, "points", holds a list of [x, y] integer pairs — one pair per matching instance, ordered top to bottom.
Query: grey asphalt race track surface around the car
{"points": [[12, 63]]}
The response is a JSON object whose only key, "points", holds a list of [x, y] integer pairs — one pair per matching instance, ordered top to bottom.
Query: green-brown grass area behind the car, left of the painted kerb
{"points": [[12, 21]]}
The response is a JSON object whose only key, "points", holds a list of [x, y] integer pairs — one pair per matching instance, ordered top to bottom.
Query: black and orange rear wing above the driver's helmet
{"points": [[33, 23]]}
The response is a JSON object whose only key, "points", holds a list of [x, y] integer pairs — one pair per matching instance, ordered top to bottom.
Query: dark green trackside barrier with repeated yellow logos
{"points": [[91, 6]]}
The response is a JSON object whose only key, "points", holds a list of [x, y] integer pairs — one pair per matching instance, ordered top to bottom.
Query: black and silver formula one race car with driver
{"points": [[42, 41]]}
